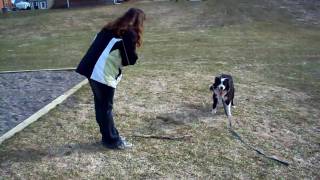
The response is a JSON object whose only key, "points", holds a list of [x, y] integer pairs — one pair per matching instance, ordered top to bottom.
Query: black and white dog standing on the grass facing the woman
{"points": [[223, 89]]}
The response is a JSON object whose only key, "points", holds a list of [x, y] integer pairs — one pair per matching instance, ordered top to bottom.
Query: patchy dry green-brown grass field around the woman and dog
{"points": [[270, 47]]}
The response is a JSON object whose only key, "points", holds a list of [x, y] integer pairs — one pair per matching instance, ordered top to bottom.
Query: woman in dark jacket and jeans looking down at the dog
{"points": [[113, 47]]}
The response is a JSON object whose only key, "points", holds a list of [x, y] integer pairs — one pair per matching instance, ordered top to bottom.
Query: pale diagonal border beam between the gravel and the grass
{"points": [[42, 111]]}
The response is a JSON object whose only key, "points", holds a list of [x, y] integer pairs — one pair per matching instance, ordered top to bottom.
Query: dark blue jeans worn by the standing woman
{"points": [[103, 101]]}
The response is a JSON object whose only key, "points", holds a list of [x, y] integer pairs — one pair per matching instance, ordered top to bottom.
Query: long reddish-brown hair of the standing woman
{"points": [[132, 19]]}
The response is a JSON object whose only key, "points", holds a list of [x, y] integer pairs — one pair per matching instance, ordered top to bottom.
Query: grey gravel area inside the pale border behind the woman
{"points": [[22, 94]]}
